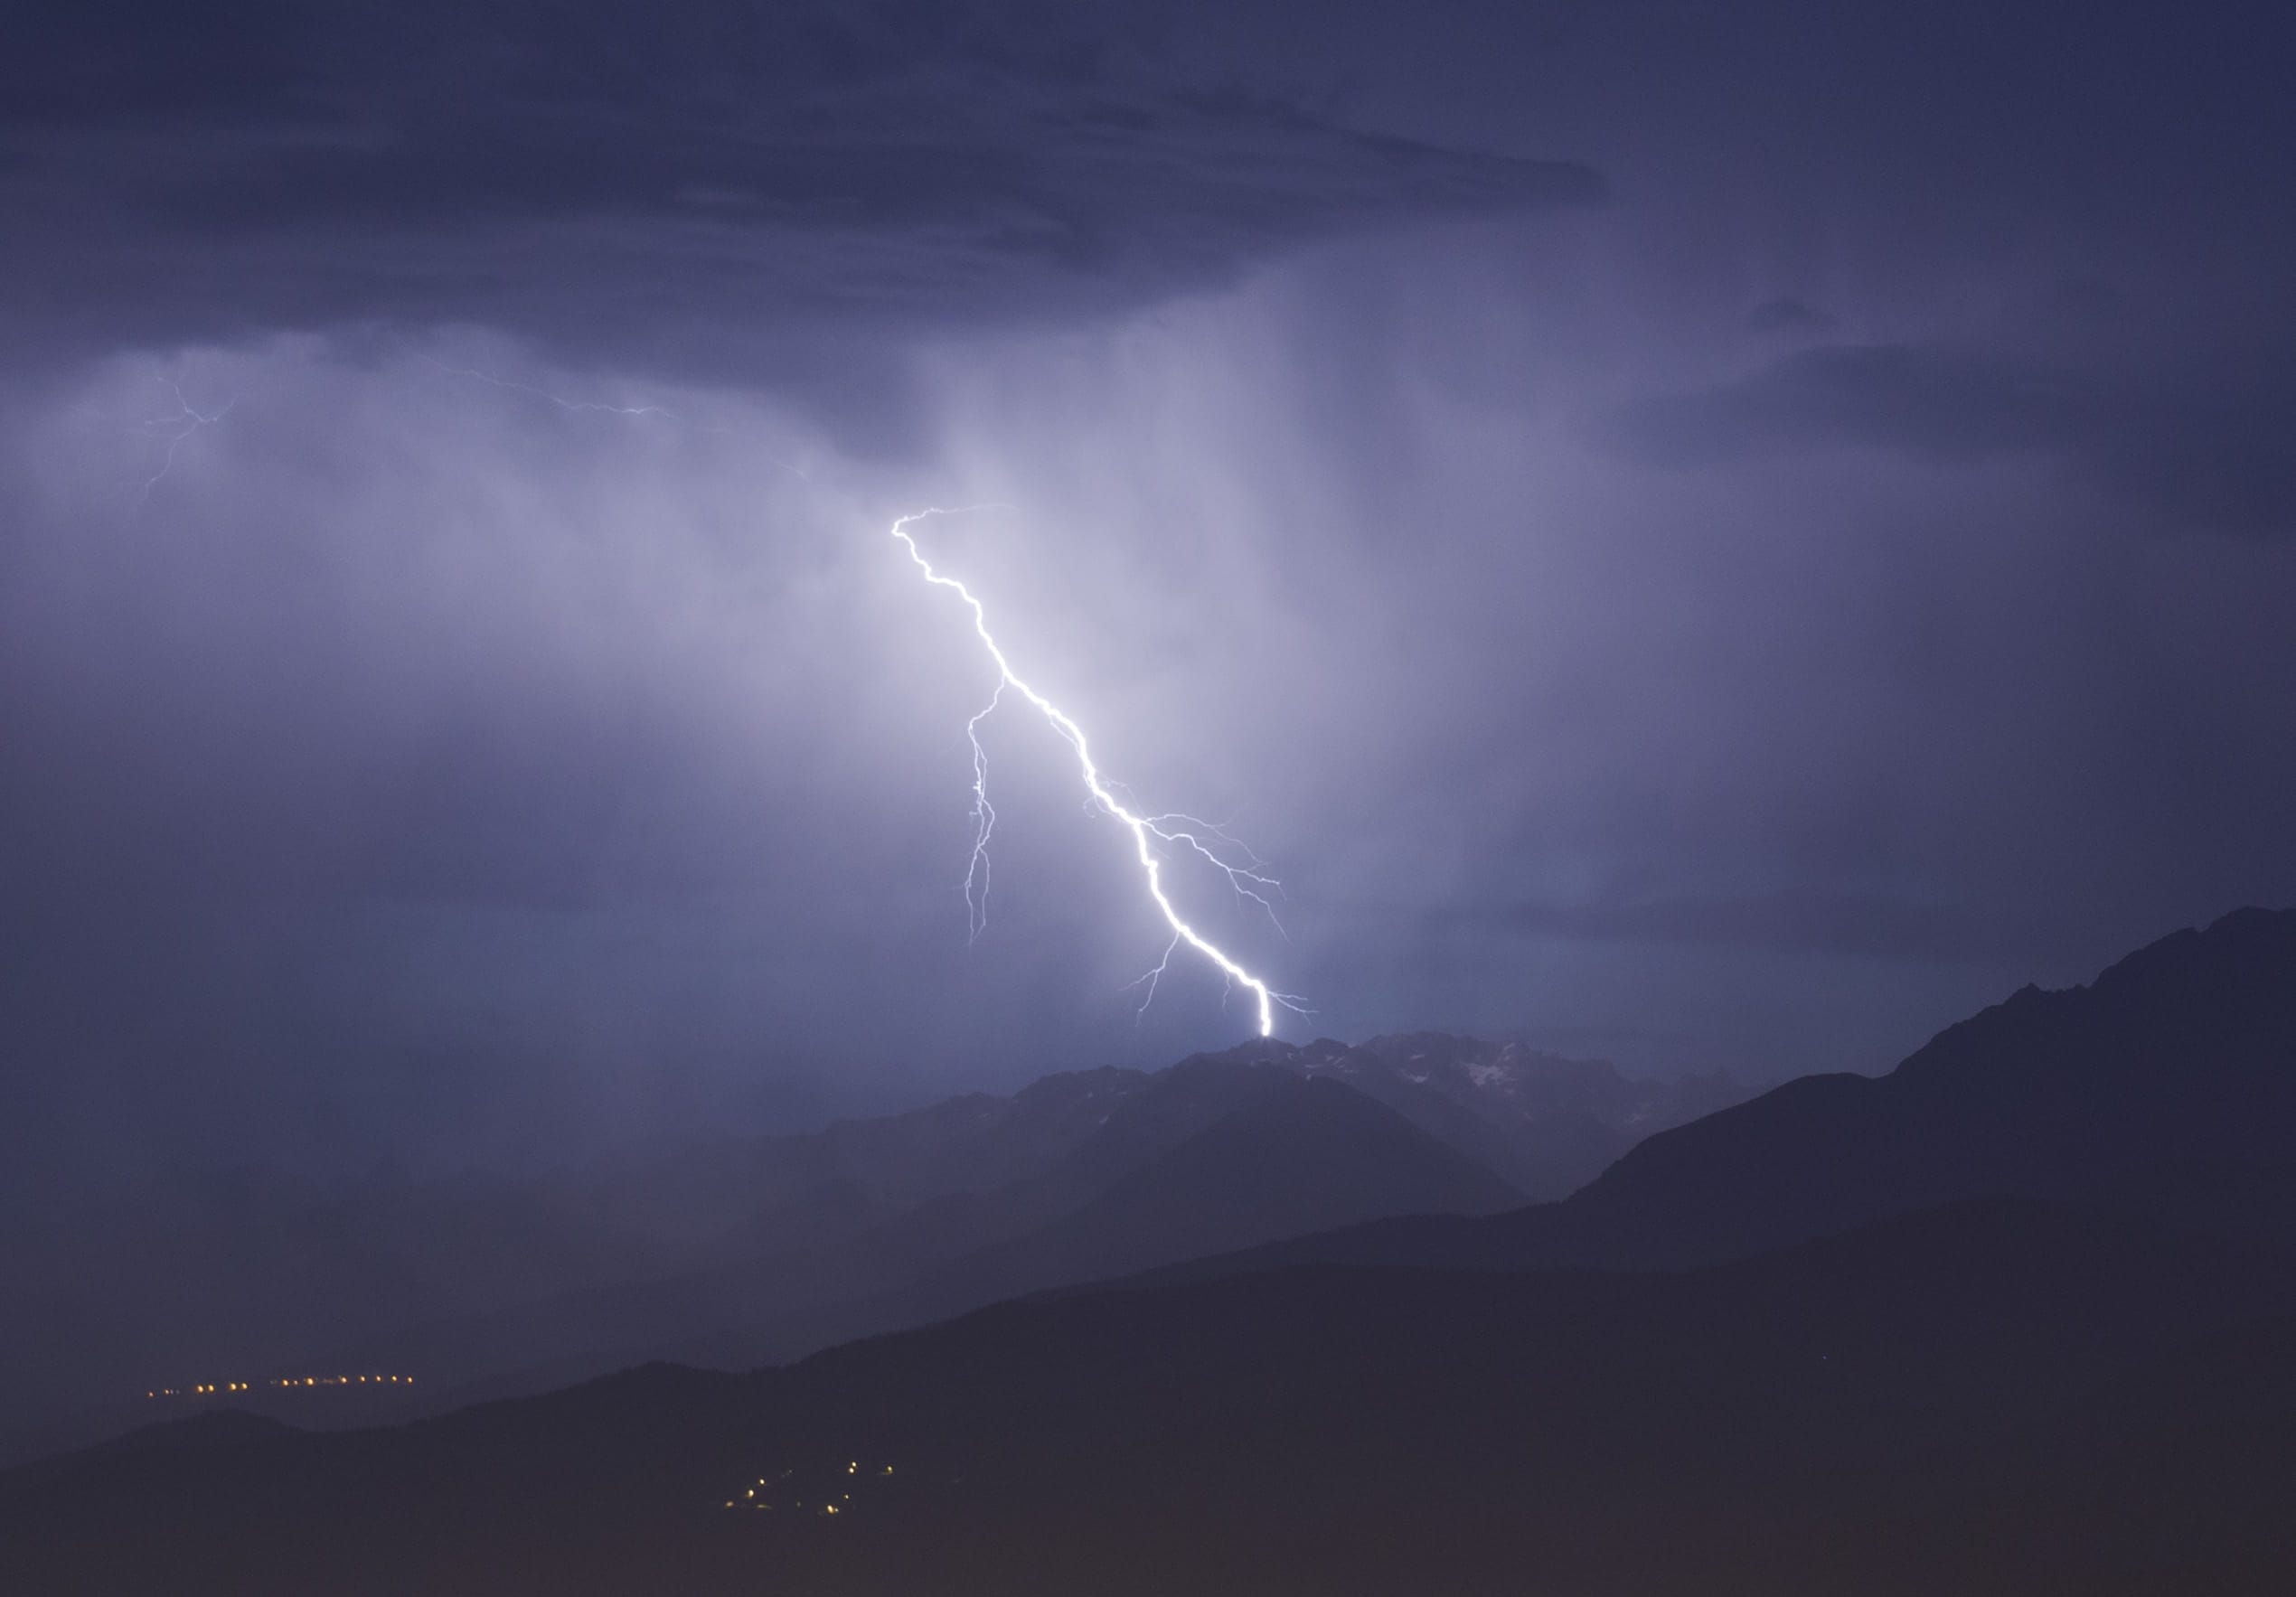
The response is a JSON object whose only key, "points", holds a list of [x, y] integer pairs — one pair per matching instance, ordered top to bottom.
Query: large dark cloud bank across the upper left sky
{"points": [[672, 187]]}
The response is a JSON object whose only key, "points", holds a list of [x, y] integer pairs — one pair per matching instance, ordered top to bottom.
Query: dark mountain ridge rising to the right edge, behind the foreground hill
{"points": [[2173, 1075]]}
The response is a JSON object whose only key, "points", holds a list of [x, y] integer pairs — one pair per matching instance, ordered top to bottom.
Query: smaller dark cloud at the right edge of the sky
{"points": [[2196, 446]]}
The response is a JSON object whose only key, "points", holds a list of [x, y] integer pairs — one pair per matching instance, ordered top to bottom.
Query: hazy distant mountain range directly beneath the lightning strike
{"points": [[766, 1249]]}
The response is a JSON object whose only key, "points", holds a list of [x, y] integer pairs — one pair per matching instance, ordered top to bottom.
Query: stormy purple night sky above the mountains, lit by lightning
{"points": [[1709, 536]]}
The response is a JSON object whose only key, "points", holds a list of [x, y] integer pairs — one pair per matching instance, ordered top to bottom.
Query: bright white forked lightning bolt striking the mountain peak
{"points": [[1147, 829]]}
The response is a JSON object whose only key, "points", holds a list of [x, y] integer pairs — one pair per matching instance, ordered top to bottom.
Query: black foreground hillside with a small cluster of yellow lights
{"points": [[1985, 1399]]}
